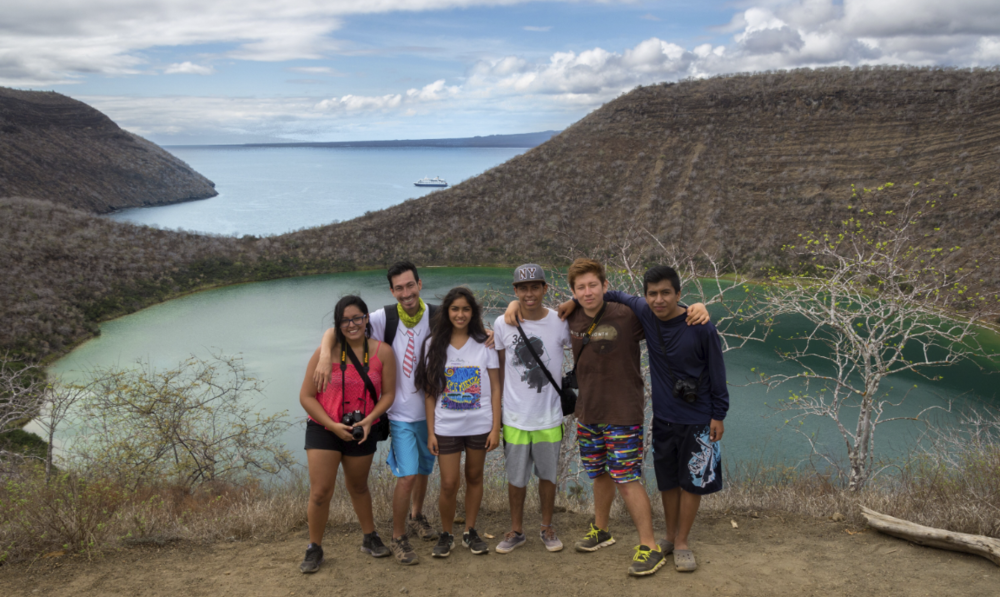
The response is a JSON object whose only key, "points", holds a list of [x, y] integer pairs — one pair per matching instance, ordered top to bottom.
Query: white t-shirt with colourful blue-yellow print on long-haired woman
{"points": [[465, 407]]}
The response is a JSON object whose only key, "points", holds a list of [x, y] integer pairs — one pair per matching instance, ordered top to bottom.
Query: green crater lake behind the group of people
{"points": [[275, 326]]}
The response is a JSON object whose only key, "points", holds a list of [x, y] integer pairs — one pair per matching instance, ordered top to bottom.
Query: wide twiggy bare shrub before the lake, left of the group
{"points": [[197, 422]]}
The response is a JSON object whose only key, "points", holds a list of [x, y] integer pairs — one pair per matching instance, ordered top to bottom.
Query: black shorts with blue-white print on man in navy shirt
{"points": [[684, 457]]}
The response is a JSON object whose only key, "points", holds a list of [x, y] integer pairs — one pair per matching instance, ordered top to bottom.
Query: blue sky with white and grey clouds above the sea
{"points": [[239, 71]]}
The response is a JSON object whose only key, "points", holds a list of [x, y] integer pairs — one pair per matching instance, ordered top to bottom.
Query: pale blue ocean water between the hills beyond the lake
{"points": [[270, 190]]}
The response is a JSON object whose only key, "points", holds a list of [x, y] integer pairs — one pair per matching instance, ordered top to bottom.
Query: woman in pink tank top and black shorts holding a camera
{"points": [[338, 432]]}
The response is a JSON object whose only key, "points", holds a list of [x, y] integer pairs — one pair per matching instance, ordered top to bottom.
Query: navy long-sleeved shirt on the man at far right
{"points": [[694, 352]]}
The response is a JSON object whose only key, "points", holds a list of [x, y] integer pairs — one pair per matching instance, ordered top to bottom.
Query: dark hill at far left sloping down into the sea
{"points": [[57, 148]]}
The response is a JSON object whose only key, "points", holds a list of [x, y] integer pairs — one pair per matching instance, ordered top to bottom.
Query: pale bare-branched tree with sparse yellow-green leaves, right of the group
{"points": [[874, 304]]}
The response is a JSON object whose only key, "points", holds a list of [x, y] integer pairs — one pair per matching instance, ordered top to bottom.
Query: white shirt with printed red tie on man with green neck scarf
{"points": [[408, 406]]}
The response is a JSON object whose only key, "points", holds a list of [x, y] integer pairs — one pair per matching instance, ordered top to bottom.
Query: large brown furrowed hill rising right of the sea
{"points": [[735, 164]]}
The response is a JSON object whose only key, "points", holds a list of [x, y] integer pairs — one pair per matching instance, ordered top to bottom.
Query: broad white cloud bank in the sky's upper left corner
{"points": [[57, 41]]}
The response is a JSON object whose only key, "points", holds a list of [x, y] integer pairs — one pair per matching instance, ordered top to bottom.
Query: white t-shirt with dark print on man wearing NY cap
{"points": [[530, 403]]}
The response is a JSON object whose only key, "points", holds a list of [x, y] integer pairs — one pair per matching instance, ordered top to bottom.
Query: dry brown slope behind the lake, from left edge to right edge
{"points": [[736, 164]]}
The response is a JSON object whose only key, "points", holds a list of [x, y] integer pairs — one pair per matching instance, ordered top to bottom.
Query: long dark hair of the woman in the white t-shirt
{"points": [[430, 367]]}
